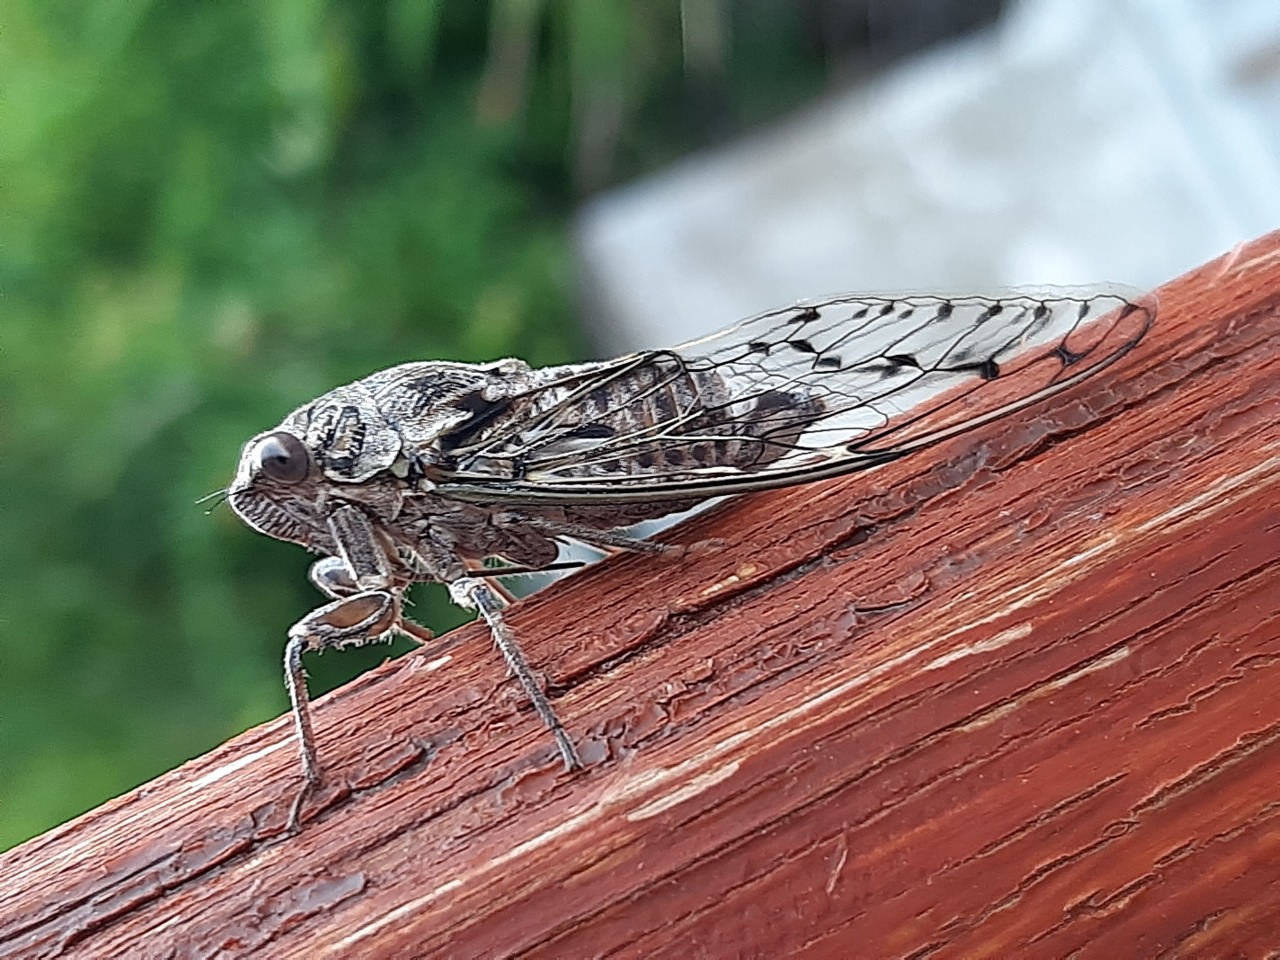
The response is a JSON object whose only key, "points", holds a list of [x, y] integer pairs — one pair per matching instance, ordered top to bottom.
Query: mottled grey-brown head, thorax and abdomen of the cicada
{"points": [[382, 442]]}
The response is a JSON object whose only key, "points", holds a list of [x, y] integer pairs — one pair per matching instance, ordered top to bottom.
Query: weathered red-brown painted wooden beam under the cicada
{"points": [[1016, 697]]}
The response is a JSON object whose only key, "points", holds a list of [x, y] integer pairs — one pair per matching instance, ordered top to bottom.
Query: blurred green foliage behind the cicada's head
{"points": [[212, 213]]}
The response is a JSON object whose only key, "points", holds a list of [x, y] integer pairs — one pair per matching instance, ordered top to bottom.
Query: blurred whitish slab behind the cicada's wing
{"points": [[1077, 141]]}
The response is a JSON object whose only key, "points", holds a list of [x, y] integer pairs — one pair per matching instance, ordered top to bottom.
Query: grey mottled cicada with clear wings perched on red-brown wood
{"points": [[432, 470]]}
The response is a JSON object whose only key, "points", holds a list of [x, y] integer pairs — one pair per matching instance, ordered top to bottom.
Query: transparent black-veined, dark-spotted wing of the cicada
{"points": [[794, 395]]}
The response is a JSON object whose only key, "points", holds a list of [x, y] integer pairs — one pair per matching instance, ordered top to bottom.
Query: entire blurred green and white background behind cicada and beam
{"points": [[213, 213]]}
